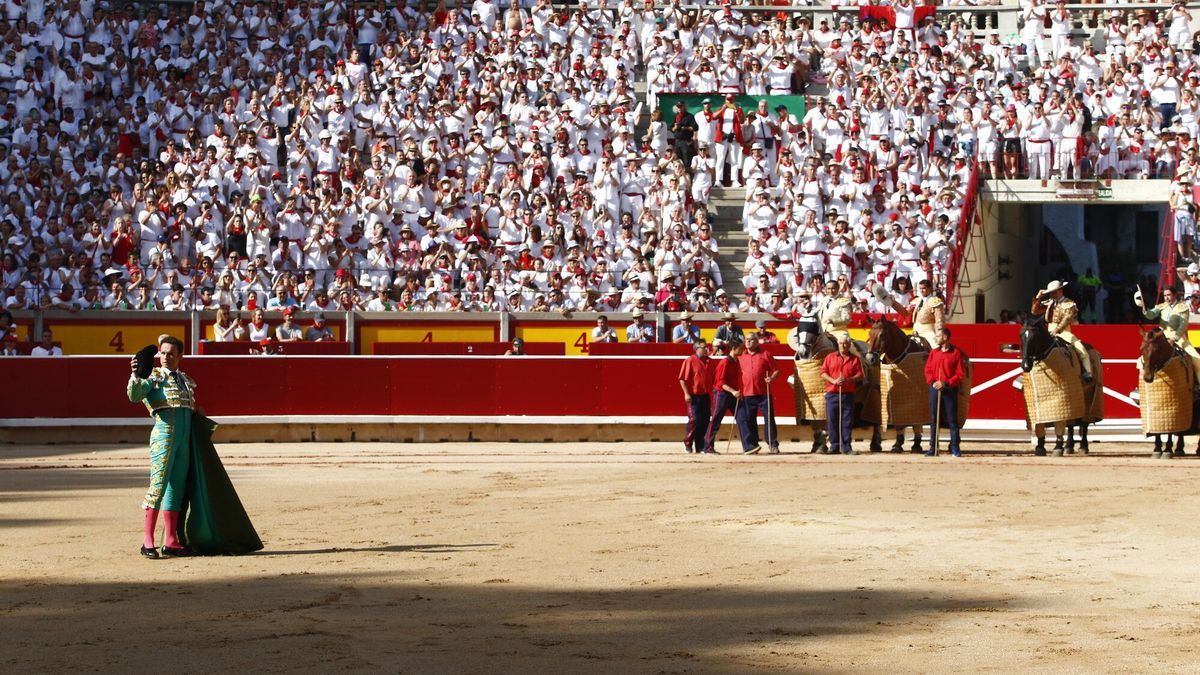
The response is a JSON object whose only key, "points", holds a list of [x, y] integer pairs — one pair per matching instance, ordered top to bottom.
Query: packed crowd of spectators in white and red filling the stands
{"points": [[388, 157]]}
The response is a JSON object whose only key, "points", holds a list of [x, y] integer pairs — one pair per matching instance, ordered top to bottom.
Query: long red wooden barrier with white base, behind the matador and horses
{"points": [[93, 387]]}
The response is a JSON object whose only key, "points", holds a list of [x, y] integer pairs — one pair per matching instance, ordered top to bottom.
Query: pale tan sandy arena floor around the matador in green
{"points": [[611, 559]]}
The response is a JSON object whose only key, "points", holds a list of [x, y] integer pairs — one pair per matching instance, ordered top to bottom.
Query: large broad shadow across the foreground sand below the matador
{"points": [[243, 617]]}
